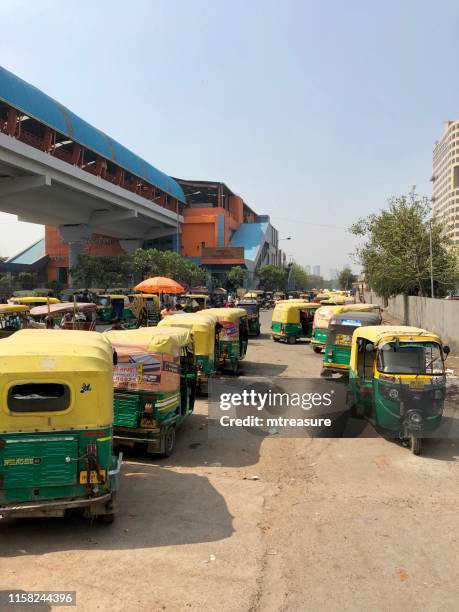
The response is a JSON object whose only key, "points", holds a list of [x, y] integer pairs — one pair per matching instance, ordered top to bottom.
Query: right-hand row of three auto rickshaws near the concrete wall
{"points": [[395, 374]]}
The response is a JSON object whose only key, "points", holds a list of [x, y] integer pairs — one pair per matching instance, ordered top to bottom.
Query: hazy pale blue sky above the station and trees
{"points": [[314, 112]]}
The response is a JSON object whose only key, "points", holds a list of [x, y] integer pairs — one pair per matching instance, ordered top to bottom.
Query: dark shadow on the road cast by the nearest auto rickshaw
{"points": [[156, 507]]}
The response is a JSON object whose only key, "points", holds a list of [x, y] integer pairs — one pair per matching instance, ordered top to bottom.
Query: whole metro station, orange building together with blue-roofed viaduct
{"points": [[203, 220]]}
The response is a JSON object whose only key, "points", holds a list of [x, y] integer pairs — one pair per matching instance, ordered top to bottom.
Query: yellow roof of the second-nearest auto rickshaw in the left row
{"points": [[157, 340]]}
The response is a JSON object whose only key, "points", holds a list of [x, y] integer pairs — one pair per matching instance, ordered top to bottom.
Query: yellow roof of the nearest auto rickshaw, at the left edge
{"points": [[51, 343]]}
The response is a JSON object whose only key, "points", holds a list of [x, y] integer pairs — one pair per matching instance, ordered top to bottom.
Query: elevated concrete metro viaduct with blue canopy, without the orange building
{"points": [[57, 170]]}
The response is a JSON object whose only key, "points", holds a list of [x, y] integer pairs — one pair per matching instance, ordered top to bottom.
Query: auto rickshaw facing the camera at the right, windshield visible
{"points": [[397, 380]]}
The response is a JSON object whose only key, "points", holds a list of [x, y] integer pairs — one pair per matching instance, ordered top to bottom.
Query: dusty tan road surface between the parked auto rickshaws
{"points": [[247, 524]]}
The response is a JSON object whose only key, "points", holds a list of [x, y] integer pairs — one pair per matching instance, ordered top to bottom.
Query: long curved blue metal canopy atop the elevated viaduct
{"points": [[34, 103]]}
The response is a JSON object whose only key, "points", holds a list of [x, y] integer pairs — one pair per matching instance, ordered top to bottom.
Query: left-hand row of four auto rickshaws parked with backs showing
{"points": [[68, 397]]}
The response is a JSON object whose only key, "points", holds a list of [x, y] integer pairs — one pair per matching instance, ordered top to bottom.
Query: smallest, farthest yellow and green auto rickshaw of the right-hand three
{"points": [[292, 320]]}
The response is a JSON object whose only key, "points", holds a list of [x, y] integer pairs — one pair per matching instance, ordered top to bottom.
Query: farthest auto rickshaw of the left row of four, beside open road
{"points": [[233, 336]]}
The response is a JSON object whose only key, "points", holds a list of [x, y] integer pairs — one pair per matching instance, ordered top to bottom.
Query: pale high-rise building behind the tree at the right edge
{"points": [[445, 179]]}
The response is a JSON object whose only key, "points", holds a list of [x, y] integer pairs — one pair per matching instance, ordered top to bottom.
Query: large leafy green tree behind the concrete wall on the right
{"points": [[395, 256]]}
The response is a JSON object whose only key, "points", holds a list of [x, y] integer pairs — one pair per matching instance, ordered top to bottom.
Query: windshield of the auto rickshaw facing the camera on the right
{"points": [[396, 357]]}
